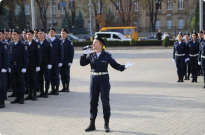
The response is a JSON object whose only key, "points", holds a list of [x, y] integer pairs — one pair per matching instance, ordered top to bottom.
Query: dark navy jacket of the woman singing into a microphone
{"points": [[100, 64]]}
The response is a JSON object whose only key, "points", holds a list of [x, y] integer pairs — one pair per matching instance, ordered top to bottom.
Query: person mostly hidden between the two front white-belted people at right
{"points": [[187, 64]]}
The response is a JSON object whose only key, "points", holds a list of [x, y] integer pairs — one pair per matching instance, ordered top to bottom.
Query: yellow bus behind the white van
{"points": [[127, 31]]}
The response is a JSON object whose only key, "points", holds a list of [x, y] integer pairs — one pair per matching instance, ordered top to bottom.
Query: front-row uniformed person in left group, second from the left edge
{"points": [[18, 65]]}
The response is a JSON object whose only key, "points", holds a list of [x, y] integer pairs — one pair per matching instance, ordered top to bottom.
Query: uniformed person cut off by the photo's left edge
{"points": [[4, 64]]}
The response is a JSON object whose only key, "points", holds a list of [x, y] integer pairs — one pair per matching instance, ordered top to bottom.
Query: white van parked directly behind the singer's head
{"points": [[112, 36]]}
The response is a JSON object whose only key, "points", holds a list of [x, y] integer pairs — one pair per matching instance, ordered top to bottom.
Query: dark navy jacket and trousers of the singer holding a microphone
{"points": [[99, 84]]}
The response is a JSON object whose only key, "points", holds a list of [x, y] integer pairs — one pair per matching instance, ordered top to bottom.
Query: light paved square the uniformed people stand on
{"points": [[145, 100]]}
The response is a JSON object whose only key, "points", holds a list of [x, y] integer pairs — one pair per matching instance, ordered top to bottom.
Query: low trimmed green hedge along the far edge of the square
{"points": [[126, 43]]}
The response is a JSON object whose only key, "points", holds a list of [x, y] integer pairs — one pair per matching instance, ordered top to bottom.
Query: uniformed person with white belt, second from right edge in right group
{"points": [[193, 52]]}
